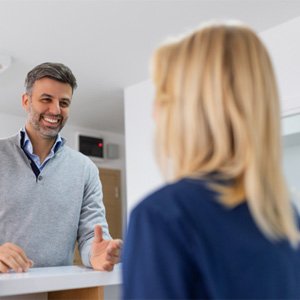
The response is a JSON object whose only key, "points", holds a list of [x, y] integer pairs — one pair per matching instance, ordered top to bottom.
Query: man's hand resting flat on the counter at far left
{"points": [[13, 257]]}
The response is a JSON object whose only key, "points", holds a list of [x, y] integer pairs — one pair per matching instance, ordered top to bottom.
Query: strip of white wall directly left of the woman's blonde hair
{"points": [[142, 173]]}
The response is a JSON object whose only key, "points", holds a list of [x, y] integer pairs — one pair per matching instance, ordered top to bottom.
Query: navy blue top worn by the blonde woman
{"points": [[183, 244]]}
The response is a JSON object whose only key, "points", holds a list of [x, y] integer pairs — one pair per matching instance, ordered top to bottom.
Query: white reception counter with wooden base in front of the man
{"points": [[70, 282]]}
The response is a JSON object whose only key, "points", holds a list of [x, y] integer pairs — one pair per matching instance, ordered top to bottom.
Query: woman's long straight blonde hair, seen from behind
{"points": [[218, 116]]}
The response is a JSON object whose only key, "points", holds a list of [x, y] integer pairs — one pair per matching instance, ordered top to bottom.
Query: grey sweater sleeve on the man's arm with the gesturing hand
{"points": [[92, 213]]}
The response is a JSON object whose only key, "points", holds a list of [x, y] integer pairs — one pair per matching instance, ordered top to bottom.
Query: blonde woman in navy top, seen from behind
{"points": [[224, 226]]}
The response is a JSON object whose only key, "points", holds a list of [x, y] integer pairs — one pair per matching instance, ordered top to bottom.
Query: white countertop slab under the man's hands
{"points": [[38, 280]]}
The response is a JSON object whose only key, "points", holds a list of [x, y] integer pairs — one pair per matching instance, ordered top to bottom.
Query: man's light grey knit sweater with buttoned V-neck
{"points": [[45, 215]]}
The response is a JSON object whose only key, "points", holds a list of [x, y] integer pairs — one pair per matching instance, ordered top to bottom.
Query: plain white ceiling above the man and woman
{"points": [[107, 44]]}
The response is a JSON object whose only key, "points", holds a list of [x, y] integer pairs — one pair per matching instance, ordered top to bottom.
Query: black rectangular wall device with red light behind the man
{"points": [[91, 146]]}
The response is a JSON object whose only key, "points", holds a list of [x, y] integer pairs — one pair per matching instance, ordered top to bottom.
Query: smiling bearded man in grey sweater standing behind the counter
{"points": [[51, 195]]}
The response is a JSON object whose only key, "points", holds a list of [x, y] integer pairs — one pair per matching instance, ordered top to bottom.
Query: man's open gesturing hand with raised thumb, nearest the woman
{"points": [[104, 253]]}
